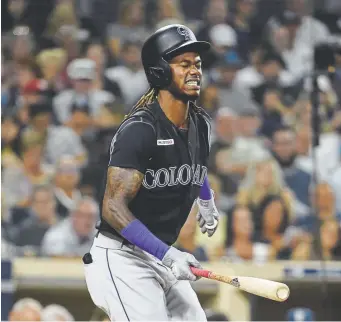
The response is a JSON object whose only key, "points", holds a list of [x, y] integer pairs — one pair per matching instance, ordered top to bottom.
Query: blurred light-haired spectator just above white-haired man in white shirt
{"points": [[66, 182]]}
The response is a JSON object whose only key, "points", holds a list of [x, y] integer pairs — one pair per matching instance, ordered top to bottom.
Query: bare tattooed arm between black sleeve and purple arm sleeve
{"points": [[122, 186]]}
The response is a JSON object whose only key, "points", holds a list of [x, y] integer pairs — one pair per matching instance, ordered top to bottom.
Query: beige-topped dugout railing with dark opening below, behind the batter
{"points": [[62, 281]]}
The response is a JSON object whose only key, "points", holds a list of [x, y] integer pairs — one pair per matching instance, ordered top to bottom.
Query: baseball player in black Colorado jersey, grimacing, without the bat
{"points": [[157, 170]]}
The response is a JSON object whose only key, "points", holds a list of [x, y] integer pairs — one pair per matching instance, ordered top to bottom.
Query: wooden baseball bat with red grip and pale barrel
{"points": [[261, 287]]}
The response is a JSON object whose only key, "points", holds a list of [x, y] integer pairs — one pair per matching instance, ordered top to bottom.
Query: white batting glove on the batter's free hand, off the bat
{"points": [[207, 216]]}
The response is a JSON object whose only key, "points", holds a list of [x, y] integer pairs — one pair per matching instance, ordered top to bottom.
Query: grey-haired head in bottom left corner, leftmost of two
{"points": [[26, 309]]}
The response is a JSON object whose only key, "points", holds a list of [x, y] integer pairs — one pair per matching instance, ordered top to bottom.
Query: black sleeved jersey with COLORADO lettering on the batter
{"points": [[174, 165]]}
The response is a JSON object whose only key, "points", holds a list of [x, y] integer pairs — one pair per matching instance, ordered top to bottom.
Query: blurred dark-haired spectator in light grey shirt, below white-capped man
{"points": [[59, 140]]}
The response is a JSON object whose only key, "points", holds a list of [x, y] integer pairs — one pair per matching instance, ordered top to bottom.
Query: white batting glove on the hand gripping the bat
{"points": [[180, 262]]}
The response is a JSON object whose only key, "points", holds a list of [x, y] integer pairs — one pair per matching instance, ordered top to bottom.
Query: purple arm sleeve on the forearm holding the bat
{"points": [[138, 234]]}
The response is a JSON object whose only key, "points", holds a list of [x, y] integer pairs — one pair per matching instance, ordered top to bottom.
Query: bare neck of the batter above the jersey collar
{"points": [[175, 109]]}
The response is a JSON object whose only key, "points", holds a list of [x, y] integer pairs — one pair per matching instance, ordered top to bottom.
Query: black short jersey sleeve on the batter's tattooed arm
{"points": [[132, 145]]}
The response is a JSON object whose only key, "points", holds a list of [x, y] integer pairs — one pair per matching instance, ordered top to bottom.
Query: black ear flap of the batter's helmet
{"points": [[160, 75]]}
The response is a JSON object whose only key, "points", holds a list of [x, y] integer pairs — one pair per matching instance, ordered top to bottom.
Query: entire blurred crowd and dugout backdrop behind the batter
{"points": [[71, 70]]}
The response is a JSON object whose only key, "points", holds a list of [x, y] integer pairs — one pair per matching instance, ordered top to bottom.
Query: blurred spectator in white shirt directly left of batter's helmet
{"points": [[130, 73]]}
